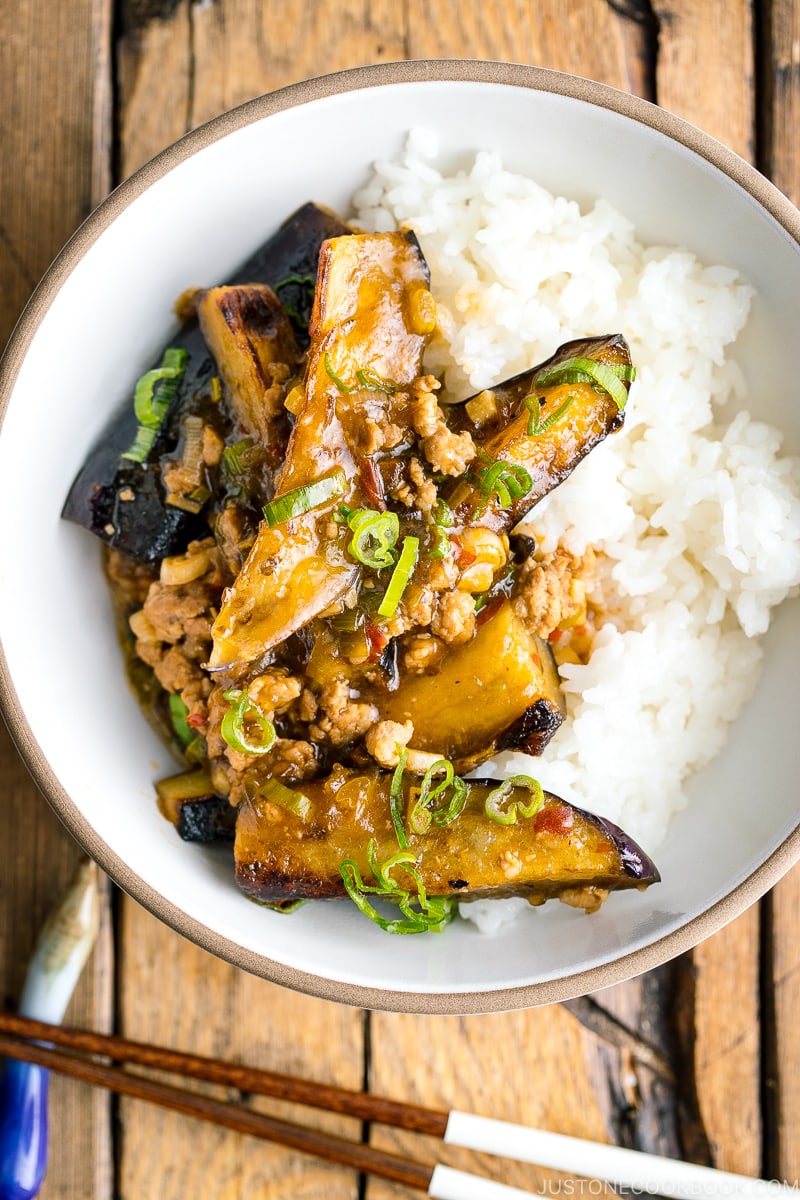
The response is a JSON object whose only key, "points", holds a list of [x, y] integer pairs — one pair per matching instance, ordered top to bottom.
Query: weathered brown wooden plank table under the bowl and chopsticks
{"points": [[89, 91]]}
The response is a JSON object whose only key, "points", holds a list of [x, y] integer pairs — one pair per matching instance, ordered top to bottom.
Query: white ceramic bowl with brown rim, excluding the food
{"points": [[97, 322]]}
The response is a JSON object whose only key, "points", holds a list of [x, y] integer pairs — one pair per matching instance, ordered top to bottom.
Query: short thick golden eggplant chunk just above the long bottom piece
{"points": [[500, 692]]}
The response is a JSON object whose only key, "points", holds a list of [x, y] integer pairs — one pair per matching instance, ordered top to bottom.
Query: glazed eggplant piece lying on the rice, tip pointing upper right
{"points": [[549, 457]]}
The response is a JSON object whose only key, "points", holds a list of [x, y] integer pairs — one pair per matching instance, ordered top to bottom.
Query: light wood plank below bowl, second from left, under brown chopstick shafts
{"points": [[197, 1004]]}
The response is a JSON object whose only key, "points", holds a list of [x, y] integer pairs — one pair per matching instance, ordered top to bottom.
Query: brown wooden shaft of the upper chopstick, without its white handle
{"points": [[246, 1079]]}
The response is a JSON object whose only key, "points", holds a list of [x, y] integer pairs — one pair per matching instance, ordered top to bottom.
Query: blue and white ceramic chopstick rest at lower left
{"points": [[59, 957]]}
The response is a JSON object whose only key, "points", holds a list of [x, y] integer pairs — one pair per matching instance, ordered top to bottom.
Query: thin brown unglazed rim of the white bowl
{"points": [[353, 80]]}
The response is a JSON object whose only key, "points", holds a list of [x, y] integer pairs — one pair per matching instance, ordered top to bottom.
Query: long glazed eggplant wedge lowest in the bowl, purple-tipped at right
{"points": [[560, 851]]}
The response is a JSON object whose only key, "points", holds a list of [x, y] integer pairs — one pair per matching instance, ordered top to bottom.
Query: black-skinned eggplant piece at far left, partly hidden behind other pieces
{"points": [[124, 503]]}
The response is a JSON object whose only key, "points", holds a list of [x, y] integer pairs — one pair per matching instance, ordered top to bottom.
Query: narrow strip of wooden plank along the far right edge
{"points": [[781, 161]]}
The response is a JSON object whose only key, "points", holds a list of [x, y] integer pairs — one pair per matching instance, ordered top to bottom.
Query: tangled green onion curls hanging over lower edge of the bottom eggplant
{"points": [[422, 914]]}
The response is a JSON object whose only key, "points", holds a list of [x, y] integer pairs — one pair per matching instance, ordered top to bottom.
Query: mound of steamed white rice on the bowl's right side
{"points": [[699, 521]]}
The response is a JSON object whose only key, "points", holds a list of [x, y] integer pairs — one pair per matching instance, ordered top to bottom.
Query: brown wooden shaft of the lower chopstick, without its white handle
{"points": [[358, 1156]]}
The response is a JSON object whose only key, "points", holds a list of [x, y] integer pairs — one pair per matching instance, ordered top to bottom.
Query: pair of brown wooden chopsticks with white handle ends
{"points": [[575, 1156]]}
